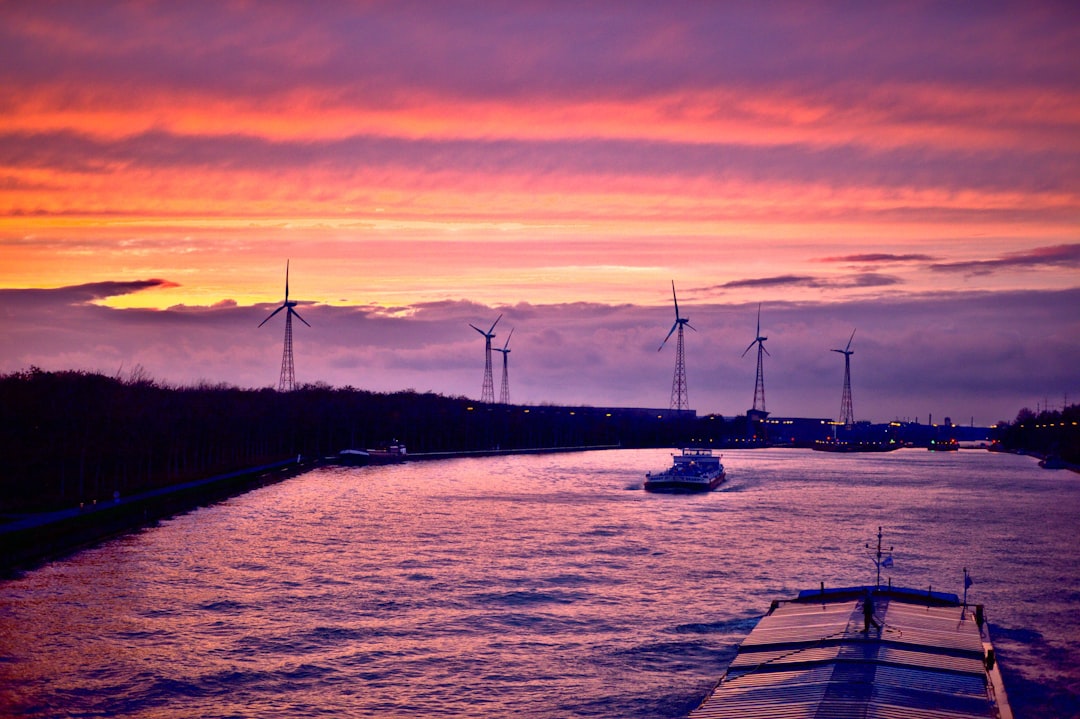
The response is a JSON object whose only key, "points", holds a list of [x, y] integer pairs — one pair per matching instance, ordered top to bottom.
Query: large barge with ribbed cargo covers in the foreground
{"points": [[865, 652]]}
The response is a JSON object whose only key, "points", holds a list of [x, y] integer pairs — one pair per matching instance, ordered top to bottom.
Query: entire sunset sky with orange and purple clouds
{"points": [[910, 172]]}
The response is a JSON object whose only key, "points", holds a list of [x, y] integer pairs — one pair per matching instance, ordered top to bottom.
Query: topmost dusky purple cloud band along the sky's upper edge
{"points": [[370, 51]]}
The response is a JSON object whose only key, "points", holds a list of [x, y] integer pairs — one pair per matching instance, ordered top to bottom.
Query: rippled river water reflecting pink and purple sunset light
{"points": [[543, 587]]}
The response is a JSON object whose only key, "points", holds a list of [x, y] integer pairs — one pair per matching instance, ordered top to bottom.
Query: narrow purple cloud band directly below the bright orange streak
{"points": [[838, 167]]}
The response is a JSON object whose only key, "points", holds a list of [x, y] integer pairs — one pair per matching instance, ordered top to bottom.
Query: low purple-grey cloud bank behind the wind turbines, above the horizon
{"points": [[967, 356]]}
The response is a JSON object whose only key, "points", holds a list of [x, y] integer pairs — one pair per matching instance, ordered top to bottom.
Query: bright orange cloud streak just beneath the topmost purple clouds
{"points": [[897, 117]]}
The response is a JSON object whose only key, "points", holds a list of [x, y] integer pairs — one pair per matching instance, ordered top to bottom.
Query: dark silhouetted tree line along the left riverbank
{"points": [[75, 437]]}
